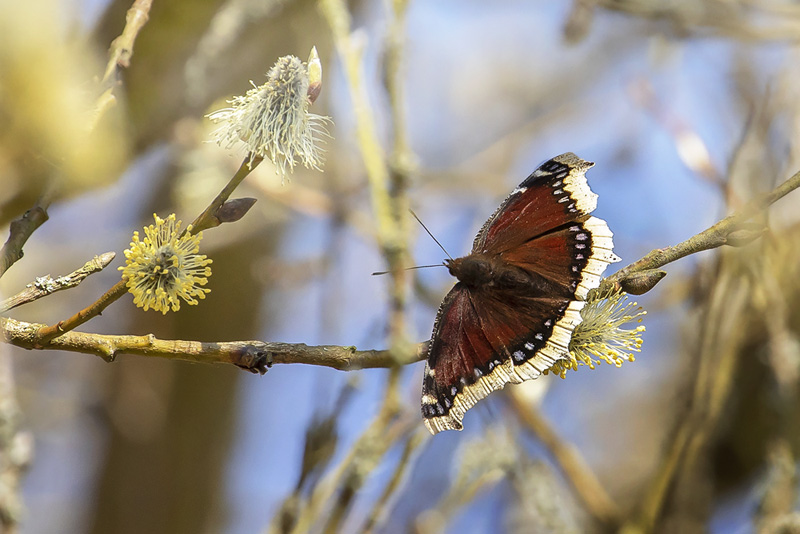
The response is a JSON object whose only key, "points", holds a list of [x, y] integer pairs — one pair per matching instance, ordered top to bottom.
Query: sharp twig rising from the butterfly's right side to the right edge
{"points": [[731, 230]]}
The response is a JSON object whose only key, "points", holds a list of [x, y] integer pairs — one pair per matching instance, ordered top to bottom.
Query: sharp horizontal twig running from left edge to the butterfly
{"points": [[250, 355]]}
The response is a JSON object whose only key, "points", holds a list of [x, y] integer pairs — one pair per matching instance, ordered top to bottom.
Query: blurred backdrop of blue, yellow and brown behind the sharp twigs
{"points": [[688, 109]]}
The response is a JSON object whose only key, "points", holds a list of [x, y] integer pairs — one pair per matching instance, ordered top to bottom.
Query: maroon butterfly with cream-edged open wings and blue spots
{"points": [[519, 294]]}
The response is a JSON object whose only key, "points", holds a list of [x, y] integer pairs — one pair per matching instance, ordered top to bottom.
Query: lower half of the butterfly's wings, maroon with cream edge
{"points": [[478, 347]]}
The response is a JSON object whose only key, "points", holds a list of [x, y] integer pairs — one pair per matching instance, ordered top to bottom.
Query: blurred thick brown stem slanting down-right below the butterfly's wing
{"points": [[598, 503]]}
